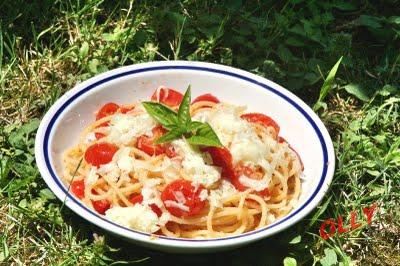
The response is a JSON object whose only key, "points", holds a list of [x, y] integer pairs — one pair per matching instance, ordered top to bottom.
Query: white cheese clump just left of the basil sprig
{"points": [[124, 127]]}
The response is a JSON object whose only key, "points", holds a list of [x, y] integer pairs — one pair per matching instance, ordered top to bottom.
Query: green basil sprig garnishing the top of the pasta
{"points": [[180, 123]]}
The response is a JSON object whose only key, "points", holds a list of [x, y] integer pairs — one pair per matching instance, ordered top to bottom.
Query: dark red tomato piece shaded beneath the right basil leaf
{"points": [[222, 158]]}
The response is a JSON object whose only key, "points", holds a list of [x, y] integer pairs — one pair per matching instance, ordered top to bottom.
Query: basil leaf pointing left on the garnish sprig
{"points": [[165, 116]]}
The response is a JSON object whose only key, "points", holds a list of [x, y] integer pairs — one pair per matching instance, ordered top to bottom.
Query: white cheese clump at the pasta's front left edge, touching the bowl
{"points": [[139, 217]]}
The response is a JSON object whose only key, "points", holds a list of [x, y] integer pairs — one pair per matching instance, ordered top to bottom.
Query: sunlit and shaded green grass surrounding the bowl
{"points": [[46, 47]]}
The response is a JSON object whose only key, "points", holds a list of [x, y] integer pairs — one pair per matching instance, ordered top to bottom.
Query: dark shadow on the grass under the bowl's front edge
{"points": [[270, 251]]}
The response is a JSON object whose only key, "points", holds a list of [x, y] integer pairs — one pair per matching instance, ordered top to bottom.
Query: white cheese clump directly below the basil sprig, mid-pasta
{"points": [[194, 166]]}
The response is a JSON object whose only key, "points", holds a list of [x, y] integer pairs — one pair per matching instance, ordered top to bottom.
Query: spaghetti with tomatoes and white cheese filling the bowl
{"points": [[179, 190]]}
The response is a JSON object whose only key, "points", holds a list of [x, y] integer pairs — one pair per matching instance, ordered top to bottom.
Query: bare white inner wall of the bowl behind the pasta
{"points": [[295, 128]]}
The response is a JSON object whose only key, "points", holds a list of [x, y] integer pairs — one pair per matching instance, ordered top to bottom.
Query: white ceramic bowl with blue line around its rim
{"points": [[300, 126]]}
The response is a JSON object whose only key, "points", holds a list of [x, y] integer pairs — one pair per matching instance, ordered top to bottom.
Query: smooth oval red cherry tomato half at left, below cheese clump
{"points": [[100, 153]]}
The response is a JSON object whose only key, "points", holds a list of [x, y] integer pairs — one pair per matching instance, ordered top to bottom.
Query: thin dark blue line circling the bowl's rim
{"points": [[183, 67]]}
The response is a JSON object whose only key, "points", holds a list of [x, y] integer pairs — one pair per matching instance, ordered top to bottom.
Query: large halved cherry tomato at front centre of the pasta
{"points": [[190, 193]]}
